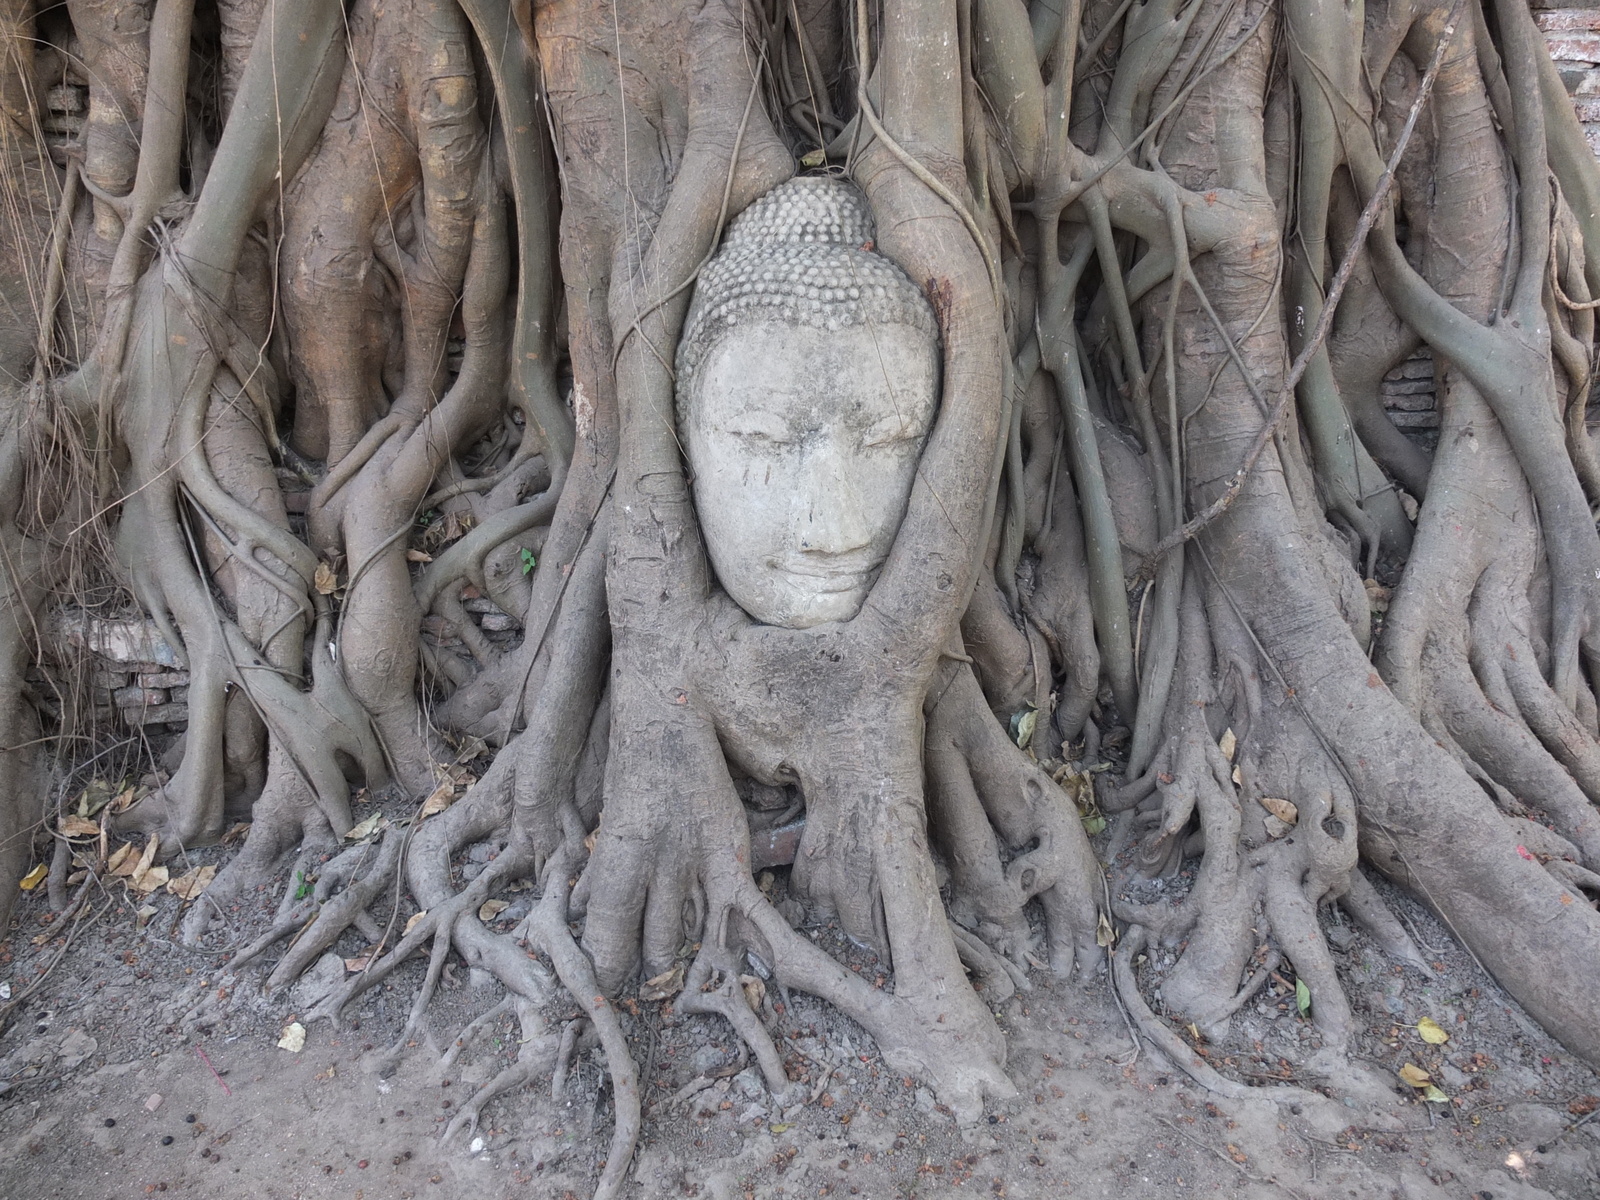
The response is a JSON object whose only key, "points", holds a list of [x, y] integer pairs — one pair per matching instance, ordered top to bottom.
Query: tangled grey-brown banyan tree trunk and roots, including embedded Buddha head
{"points": [[930, 452]]}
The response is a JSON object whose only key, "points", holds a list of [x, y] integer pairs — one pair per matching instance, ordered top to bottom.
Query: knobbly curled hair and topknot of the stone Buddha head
{"points": [[801, 255]]}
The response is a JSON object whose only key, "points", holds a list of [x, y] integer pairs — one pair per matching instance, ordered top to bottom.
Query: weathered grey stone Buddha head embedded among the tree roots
{"points": [[807, 383]]}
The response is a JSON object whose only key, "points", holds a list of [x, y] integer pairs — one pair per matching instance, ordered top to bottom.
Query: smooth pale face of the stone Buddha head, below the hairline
{"points": [[804, 446]]}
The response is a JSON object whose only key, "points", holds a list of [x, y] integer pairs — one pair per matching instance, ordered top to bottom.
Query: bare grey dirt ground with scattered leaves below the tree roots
{"points": [[140, 1068]]}
